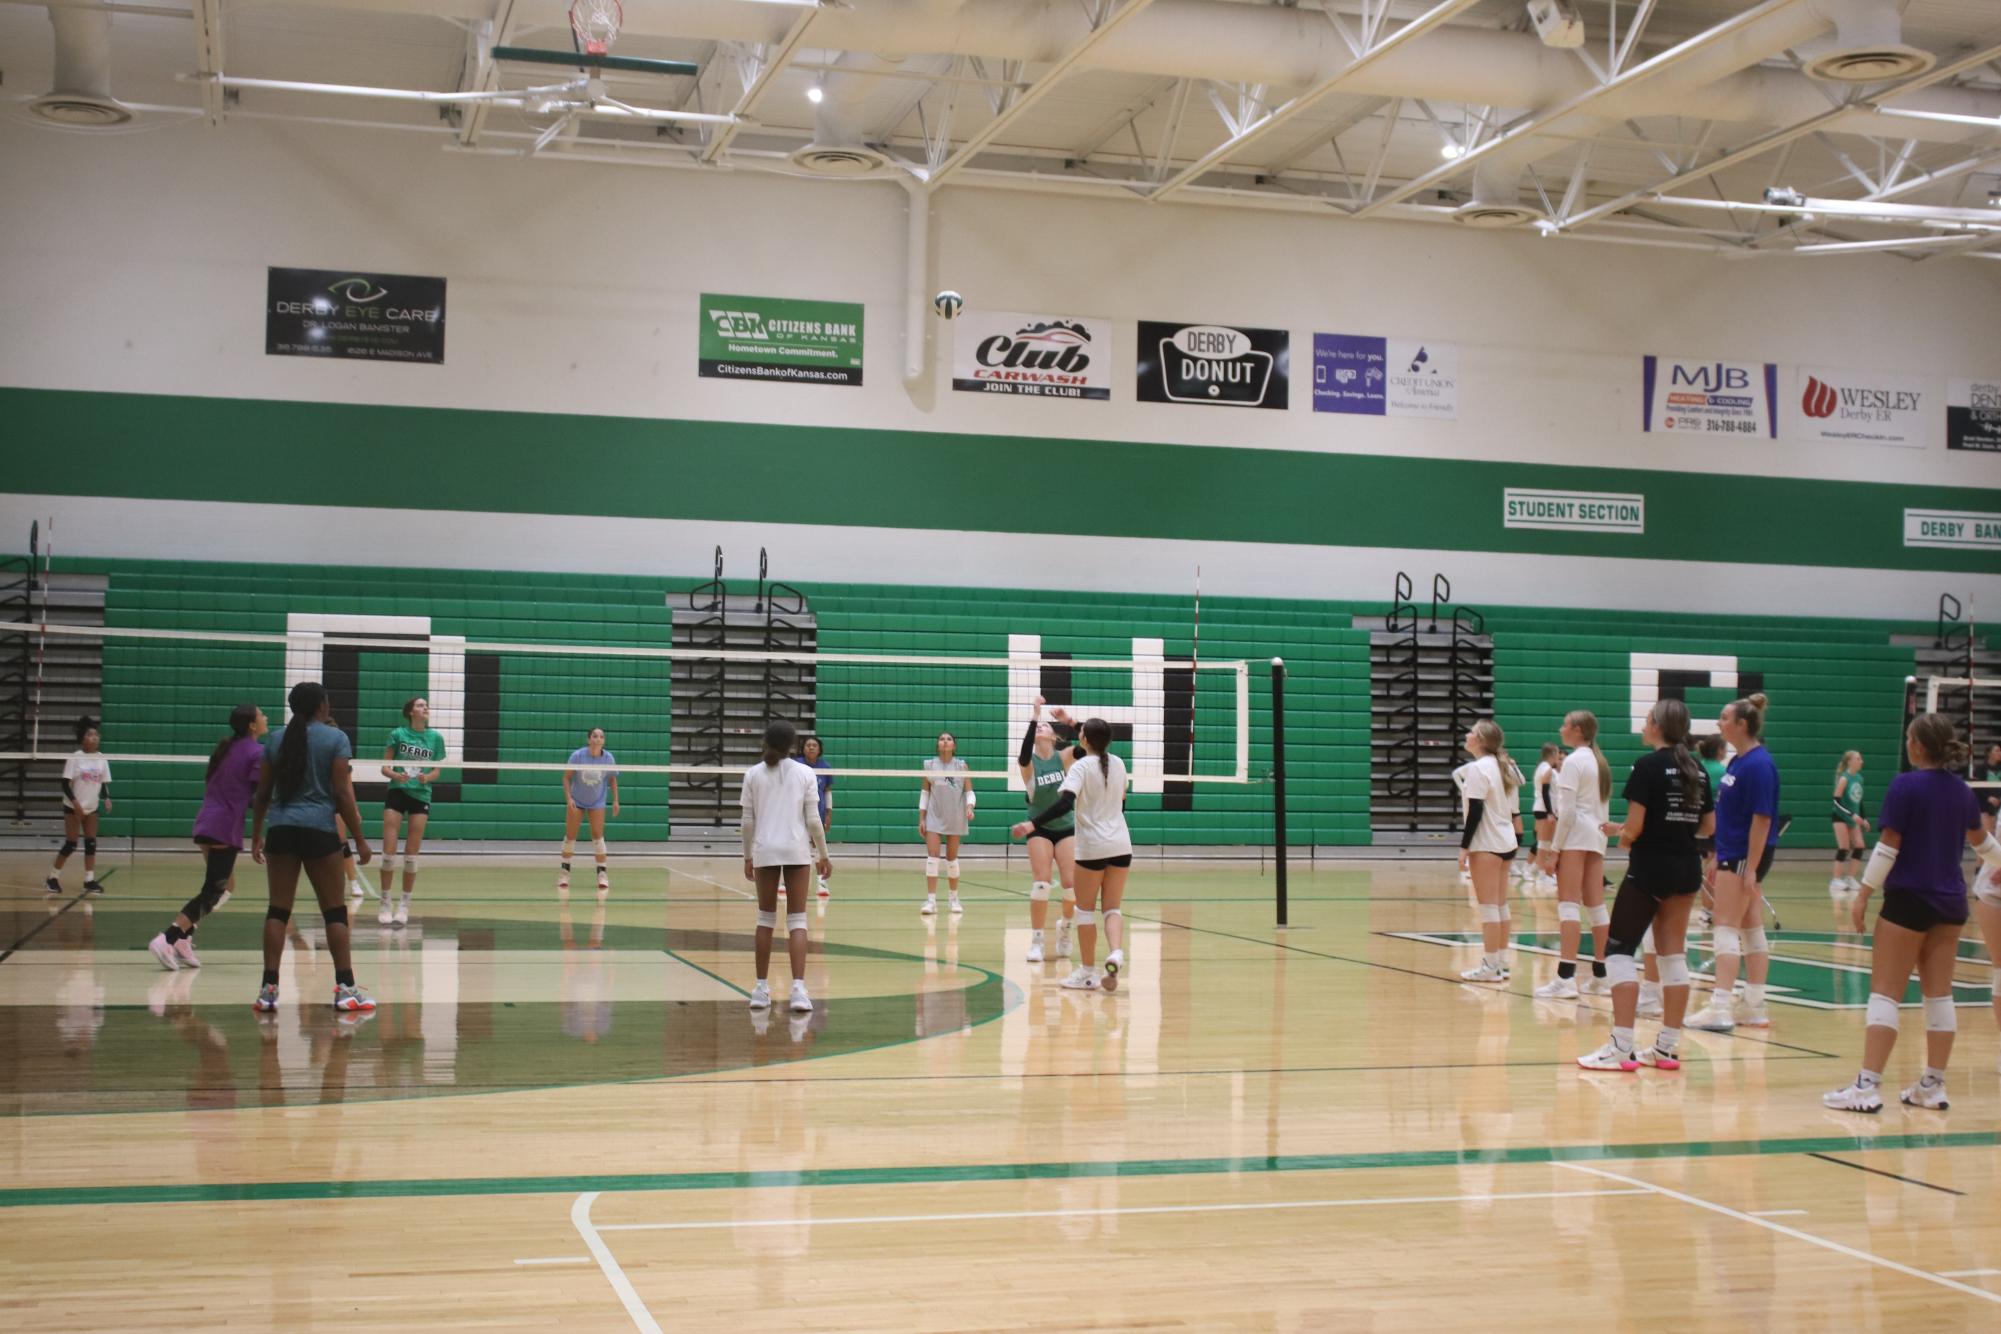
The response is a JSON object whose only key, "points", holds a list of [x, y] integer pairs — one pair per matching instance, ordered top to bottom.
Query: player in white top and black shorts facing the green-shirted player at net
{"points": [[1094, 789]]}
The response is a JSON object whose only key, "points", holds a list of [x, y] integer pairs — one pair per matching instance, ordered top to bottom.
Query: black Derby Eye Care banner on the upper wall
{"points": [[349, 315]]}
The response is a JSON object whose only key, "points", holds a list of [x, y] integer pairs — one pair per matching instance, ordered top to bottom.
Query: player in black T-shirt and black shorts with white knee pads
{"points": [[1670, 807]]}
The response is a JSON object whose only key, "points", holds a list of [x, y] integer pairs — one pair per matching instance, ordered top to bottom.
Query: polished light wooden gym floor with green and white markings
{"points": [[567, 1115]]}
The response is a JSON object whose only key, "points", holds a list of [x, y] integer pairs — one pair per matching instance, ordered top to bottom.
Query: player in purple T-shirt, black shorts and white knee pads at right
{"points": [[1930, 817]]}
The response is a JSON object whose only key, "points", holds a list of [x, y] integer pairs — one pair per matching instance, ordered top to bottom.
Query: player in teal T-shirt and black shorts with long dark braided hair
{"points": [[307, 781]]}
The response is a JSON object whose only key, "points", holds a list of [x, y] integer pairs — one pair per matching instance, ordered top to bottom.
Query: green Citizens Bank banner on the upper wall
{"points": [[781, 339]]}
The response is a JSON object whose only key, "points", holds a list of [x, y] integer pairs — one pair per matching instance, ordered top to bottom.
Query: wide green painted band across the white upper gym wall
{"points": [[207, 449]]}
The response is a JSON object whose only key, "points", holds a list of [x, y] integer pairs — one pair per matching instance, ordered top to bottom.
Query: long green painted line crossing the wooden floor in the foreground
{"points": [[919, 1175]]}
